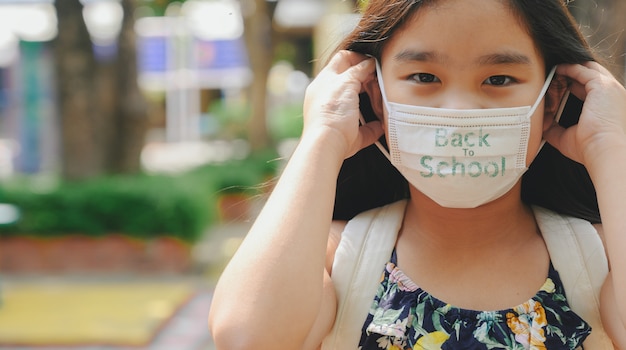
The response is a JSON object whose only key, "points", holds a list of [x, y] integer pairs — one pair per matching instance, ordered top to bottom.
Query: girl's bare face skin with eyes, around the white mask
{"points": [[464, 54]]}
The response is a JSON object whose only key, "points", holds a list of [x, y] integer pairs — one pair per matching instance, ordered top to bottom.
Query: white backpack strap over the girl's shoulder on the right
{"points": [[578, 255]]}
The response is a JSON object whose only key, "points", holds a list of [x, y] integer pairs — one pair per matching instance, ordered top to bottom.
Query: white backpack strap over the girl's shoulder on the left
{"points": [[366, 245]]}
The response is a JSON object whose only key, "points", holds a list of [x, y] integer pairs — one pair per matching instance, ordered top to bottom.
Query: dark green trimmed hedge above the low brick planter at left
{"points": [[140, 206]]}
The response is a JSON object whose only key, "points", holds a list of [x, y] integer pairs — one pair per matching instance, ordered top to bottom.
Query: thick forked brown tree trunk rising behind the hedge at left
{"points": [[102, 112]]}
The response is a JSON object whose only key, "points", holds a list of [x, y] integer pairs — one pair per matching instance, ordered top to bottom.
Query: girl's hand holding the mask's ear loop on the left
{"points": [[331, 104]]}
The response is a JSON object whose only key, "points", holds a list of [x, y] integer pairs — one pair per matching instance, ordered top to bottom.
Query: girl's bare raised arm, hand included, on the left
{"points": [[275, 292]]}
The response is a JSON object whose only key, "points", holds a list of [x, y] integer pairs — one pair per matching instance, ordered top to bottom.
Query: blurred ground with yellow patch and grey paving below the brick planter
{"points": [[139, 312]]}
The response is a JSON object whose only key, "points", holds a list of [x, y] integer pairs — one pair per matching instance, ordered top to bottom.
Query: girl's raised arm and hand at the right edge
{"points": [[599, 142]]}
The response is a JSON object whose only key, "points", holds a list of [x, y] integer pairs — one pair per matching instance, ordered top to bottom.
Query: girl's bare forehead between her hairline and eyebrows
{"points": [[451, 30]]}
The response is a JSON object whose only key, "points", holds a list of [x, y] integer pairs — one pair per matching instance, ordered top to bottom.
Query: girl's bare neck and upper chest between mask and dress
{"points": [[459, 254]]}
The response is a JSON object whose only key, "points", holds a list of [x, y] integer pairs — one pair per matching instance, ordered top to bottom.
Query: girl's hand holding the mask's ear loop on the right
{"points": [[602, 124]]}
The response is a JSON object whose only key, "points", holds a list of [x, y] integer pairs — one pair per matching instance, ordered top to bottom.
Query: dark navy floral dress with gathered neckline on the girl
{"points": [[403, 316]]}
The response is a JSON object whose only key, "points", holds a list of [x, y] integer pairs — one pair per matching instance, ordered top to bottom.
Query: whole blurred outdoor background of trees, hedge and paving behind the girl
{"points": [[138, 139]]}
